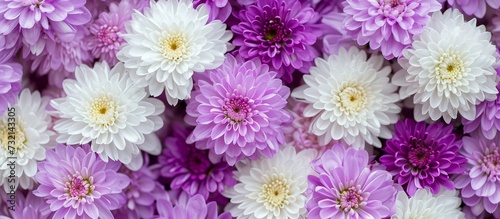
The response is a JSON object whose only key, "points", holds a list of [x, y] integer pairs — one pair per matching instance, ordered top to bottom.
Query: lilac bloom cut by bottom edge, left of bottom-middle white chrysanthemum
{"points": [[189, 207]]}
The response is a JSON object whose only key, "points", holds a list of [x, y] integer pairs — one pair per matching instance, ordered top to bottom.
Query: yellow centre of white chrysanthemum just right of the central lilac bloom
{"points": [[351, 99]]}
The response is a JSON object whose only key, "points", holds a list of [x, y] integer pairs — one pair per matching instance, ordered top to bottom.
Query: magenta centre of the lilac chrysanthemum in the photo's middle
{"points": [[237, 108]]}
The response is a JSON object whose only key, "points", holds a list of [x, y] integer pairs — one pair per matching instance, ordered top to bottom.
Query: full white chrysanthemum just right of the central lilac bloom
{"points": [[350, 97]]}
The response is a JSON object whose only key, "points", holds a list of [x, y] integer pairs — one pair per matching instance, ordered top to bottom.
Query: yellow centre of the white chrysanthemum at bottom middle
{"points": [[275, 193]]}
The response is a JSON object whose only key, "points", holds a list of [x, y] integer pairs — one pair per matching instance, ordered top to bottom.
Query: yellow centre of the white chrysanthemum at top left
{"points": [[174, 47]]}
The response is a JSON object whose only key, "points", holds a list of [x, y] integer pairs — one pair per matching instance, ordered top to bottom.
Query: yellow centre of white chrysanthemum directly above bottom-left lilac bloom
{"points": [[103, 111]]}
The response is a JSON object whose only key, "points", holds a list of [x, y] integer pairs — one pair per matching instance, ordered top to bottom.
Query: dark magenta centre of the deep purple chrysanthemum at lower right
{"points": [[420, 154]]}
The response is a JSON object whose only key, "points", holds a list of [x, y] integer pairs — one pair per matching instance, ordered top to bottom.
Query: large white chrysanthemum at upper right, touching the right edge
{"points": [[449, 68]]}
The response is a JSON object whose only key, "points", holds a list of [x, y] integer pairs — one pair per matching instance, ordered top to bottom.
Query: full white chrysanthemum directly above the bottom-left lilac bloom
{"points": [[106, 107]]}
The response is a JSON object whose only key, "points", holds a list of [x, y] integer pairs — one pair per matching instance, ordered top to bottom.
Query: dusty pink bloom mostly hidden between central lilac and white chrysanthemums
{"points": [[298, 133]]}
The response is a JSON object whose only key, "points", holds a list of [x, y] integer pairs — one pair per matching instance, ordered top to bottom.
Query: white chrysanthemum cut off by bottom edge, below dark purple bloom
{"points": [[445, 204]]}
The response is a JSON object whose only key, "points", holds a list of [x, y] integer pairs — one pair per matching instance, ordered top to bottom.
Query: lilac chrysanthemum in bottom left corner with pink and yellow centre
{"points": [[78, 184]]}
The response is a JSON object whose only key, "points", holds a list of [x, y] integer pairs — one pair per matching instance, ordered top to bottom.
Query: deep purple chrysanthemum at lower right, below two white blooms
{"points": [[421, 156]]}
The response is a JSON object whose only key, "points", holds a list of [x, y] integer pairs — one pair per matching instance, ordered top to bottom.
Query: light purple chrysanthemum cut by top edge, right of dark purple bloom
{"points": [[388, 25]]}
